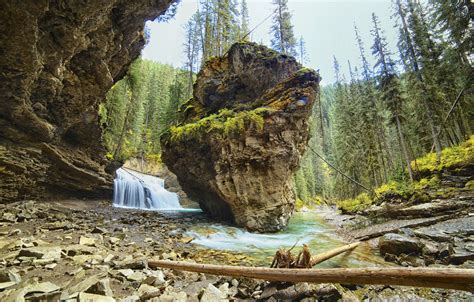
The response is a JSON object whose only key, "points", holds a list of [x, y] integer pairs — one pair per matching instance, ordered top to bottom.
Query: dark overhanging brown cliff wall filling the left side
{"points": [[57, 60]]}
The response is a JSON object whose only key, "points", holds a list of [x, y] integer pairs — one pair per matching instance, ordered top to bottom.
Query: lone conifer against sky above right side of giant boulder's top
{"points": [[283, 38]]}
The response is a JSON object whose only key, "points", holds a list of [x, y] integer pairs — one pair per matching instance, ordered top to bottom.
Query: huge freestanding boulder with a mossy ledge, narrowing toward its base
{"points": [[242, 135]]}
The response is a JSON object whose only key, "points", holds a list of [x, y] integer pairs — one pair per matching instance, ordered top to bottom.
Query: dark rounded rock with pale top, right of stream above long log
{"points": [[396, 244]]}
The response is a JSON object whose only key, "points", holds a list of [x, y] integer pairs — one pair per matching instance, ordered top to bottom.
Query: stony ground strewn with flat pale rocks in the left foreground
{"points": [[76, 250]]}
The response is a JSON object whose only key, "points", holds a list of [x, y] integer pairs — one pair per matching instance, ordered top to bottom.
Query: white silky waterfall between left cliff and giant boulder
{"points": [[141, 191]]}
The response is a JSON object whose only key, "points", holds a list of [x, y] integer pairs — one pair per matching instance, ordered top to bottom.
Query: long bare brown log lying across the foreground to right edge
{"points": [[448, 278]]}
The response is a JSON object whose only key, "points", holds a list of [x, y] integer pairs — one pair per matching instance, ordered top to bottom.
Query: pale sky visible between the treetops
{"points": [[327, 26]]}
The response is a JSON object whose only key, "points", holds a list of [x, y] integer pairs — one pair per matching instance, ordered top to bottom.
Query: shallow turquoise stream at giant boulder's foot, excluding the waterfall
{"points": [[304, 228]]}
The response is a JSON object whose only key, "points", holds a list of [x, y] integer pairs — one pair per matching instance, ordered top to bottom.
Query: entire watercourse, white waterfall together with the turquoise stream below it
{"points": [[136, 190]]}
